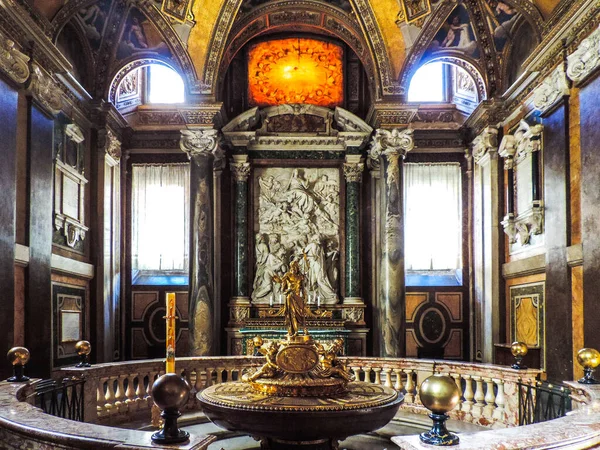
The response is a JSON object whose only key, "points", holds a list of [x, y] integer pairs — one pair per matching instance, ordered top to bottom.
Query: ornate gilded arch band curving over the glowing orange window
{"points": [[307, 15]]}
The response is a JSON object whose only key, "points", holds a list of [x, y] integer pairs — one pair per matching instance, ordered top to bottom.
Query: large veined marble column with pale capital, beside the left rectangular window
{"points": [[201, 145]]}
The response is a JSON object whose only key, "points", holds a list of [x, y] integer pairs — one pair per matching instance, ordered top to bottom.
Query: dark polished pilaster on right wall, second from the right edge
{"points": [[559, 353]]}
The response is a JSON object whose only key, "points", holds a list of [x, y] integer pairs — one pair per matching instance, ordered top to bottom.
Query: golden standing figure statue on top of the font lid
{"points": [[292, 285]]}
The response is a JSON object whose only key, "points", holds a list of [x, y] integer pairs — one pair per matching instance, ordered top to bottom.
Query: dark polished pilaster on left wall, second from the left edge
{"points": [[38, 298]]}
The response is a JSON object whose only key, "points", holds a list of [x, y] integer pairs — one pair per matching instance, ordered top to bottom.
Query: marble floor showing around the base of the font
{"points": [[403, 424]]}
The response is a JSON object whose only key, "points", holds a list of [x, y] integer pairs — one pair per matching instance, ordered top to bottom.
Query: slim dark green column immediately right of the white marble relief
{"points": [[353, 169]]}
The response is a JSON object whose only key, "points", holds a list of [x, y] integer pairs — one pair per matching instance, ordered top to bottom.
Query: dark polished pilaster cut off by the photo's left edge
{"points": [[8, 138]]}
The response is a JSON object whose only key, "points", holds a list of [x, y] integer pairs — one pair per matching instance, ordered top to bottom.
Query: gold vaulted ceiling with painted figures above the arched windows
{"points": [[392, 38]]}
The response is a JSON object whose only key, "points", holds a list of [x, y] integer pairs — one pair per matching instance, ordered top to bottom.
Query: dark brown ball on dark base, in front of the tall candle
{"points": [[170, 392]]}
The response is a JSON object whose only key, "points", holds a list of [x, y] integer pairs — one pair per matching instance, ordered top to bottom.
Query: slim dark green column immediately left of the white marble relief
{"points": [[241, 170]]}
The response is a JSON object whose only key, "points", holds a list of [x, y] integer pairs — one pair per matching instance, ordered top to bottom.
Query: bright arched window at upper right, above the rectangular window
{"points": [[445, 82]]}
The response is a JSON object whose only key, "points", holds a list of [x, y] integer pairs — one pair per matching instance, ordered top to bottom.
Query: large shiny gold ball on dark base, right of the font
{"points": [[439, 394]]}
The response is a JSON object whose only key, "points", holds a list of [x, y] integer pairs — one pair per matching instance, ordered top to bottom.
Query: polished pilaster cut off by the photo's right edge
{"points": [[590, 209]]}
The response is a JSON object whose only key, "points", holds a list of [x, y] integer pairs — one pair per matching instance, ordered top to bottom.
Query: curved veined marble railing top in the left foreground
{"points": [[23, 426]]}
